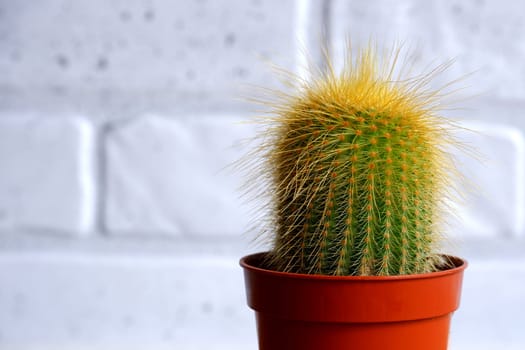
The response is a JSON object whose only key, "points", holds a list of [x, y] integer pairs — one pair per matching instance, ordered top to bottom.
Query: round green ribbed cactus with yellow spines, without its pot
{"points": [[358, 172]]}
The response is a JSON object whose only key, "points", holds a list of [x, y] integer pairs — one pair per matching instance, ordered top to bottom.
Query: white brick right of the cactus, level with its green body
{"points": [[494, 167]]}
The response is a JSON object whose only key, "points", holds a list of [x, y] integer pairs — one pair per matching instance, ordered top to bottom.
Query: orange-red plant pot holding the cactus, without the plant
{"points": [[303, 312]]}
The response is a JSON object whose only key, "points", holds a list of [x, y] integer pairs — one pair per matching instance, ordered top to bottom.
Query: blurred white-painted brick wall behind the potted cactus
{"points": [[121, 225]]}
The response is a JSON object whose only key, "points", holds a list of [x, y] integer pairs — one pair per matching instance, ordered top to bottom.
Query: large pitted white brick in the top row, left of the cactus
{"points": [[169, 53]]}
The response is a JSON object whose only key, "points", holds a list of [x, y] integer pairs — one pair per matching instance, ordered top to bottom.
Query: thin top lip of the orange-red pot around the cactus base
{"points": [[247, 262]]}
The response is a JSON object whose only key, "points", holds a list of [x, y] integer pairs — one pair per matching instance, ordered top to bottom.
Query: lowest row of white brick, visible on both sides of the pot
{"points": [[118, 300]]}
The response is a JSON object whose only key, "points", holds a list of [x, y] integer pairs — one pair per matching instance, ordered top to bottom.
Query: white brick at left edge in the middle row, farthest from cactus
{"points": [[47, 180]]}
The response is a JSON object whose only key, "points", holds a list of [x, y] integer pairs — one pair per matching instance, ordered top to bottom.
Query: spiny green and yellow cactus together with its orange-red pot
{"points": [[358, 176]]}
